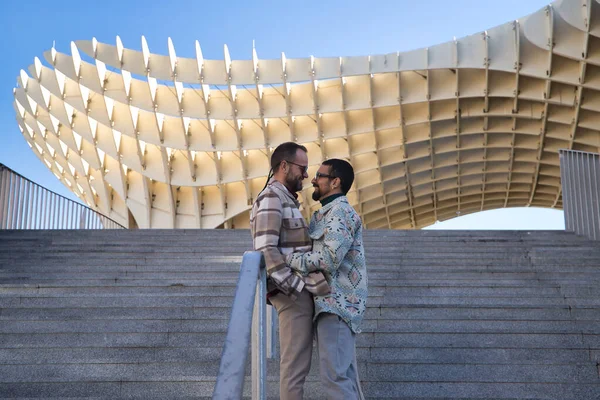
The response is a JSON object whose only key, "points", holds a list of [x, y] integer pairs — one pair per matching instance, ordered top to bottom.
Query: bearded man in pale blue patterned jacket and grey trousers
{"points": [[337, 251]]}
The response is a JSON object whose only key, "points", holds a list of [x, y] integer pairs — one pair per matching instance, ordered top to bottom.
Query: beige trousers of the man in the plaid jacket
{"points": [[295, 342]]}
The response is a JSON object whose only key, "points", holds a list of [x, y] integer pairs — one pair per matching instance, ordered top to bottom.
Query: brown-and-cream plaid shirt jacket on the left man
{"points": [[278, 228]]}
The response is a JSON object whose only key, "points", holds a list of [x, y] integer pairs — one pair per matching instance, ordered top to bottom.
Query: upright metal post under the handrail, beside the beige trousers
{"points": [[259, 339]]}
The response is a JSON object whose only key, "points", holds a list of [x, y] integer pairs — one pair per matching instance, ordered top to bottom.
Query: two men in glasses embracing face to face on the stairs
{"points": [[317, 273]]}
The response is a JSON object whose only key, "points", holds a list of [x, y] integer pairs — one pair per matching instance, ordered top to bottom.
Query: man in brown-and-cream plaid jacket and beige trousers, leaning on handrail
{"points": [[278, 229]]}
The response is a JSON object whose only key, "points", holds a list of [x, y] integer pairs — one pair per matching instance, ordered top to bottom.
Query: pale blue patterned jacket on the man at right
{"points": [[338, 252]]}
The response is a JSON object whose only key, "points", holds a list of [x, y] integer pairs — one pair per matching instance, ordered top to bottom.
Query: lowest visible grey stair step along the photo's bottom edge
{"points": [[313, 390]]}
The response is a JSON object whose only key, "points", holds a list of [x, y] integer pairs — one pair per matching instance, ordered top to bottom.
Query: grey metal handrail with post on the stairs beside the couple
{"points": [[251, 321]]}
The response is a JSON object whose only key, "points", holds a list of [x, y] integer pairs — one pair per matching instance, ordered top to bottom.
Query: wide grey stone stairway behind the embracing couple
{"points": [[451, 314]]}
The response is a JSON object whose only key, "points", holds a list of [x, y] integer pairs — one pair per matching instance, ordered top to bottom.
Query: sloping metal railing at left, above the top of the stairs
{"points": [[26, 205]]}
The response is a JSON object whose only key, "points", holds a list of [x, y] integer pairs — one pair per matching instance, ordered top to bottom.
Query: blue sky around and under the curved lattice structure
{"points": [[302, 28]]}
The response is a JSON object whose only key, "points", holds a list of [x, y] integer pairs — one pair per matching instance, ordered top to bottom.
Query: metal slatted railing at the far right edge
{"points": [[580, 177]]}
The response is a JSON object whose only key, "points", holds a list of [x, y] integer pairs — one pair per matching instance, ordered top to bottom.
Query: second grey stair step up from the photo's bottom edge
{"points": [[372, 372]]}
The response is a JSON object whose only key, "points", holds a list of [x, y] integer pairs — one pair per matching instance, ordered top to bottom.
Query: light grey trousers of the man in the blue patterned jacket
{"points": [[337, 358]]}
